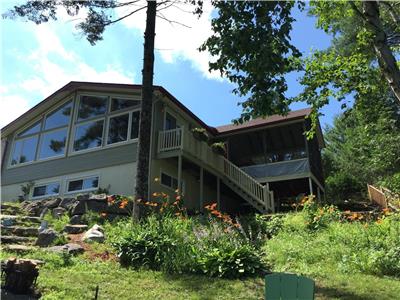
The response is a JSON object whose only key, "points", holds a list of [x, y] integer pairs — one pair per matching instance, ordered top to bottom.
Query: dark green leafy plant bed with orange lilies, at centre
{"points": [[176, 245]]}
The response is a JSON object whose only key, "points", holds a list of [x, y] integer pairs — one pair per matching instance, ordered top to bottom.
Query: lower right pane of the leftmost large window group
{"points": [[53, 143]]}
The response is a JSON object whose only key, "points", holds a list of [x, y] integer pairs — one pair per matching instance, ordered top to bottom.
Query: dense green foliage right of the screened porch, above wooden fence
{"points": [[363, 147]]}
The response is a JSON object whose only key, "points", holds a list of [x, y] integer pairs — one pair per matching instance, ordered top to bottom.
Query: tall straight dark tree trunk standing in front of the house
{"points": [[142, 174]]}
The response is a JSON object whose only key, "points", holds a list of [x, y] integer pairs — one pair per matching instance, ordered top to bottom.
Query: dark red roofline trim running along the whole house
{"points": [[75, 85]]}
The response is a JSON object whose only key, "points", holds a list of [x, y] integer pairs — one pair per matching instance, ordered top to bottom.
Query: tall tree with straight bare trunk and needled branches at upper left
{"points": [[93, 27]]}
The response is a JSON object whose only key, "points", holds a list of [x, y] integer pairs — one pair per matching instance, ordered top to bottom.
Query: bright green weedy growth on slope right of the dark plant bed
{"points": [[345, 247]]}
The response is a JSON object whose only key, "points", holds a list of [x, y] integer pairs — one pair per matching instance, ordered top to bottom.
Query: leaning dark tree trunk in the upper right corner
{"points": [[386, 59]]}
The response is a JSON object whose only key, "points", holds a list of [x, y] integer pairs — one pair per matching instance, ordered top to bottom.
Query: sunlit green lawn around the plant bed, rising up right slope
{"points": [[347, 260]]}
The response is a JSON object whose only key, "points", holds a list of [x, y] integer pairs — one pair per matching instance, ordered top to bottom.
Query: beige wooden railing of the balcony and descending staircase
{"points": [[179, 138]]}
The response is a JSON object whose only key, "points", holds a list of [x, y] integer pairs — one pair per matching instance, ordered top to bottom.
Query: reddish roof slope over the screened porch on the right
{"points": [[293, 115]]}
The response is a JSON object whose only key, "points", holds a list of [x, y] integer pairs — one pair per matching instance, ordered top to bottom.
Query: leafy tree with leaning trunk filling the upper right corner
{"points": [[252, 45]]}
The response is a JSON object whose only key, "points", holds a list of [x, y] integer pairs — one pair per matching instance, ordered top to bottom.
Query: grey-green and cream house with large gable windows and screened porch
{"points": [[85, 136]]}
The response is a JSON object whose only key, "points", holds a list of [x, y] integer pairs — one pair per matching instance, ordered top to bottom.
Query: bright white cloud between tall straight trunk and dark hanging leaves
{"points": [[174, 41]]}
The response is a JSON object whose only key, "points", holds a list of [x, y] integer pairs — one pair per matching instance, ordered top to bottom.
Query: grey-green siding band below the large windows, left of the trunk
{"points": [[77, 163]]}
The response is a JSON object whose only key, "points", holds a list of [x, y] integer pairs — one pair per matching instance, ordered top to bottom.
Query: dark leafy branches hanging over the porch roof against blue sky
{"points": [[252, 47]]}
